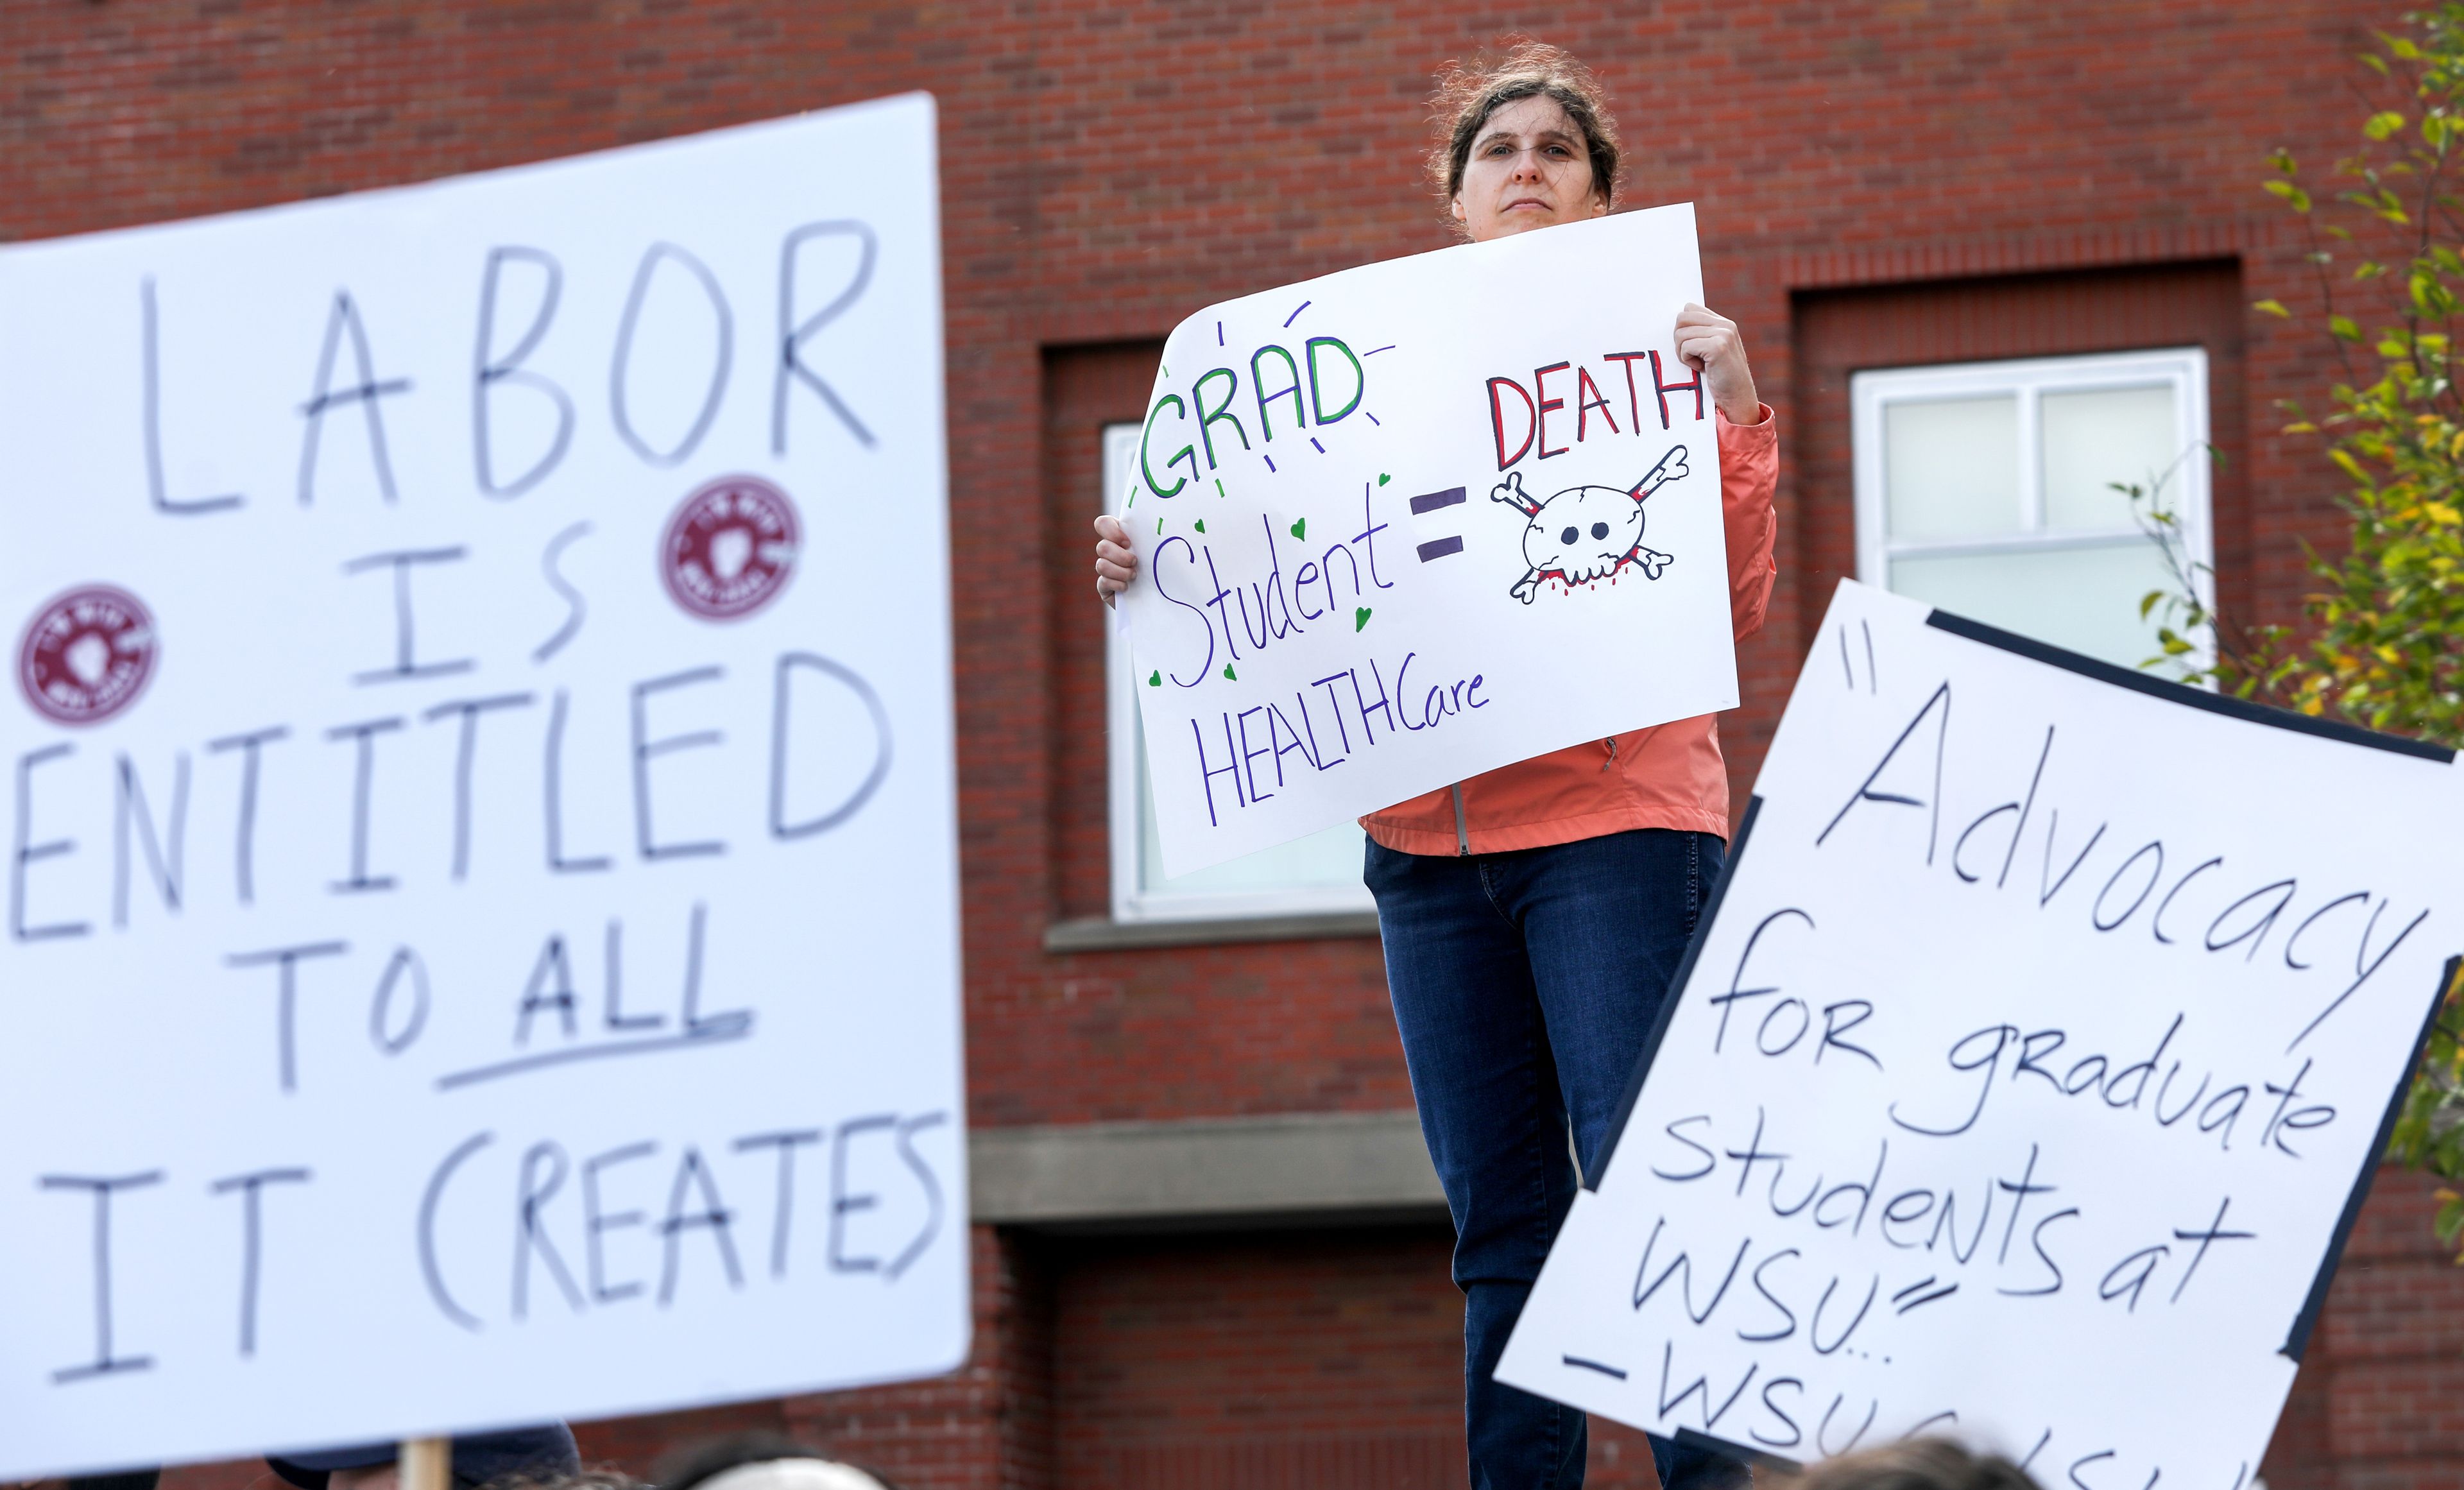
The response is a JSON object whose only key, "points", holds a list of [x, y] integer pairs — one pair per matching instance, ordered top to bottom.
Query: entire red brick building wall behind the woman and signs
{"points": [[1112, 166]]}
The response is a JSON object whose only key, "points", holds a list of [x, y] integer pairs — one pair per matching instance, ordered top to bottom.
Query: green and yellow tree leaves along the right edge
{"points": [[2381, 634]]}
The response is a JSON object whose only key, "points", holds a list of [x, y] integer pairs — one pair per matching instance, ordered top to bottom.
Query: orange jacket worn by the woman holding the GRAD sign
{"points": [[1662, 777]]}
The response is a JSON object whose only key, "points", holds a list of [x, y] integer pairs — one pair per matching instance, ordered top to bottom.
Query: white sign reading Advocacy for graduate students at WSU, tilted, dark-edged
{"points": [[2027, 1075]]}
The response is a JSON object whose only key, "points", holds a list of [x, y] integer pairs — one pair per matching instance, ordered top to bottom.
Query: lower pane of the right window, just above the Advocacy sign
{"points": [[2081, 600]]}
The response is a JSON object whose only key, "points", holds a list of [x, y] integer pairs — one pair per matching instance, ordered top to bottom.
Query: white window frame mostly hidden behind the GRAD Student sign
{"points": [[1130, 903]]}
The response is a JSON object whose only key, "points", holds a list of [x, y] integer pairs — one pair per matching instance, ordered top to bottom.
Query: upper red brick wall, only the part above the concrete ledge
{"points": [[1112, 166]]}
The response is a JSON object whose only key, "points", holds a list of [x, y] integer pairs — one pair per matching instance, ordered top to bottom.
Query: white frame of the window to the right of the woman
{"points": [[2032, 378]]}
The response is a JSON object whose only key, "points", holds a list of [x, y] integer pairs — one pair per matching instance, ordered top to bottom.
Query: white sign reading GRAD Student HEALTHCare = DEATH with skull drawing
{"points": [[1418, 521]]}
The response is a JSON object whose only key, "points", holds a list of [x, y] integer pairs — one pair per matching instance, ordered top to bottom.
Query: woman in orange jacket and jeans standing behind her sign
{"points": [[1536, 915]]}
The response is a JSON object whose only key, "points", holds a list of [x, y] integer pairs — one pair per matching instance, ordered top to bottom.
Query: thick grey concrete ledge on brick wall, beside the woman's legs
{"points": [[1206, 1174]]}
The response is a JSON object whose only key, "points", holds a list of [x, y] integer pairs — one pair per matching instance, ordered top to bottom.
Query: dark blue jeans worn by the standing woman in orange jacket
{"points": [[1524, 991]]}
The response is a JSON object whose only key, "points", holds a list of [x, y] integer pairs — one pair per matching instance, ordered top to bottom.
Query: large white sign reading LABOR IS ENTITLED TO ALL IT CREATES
{"points": [[482, 893]]}
